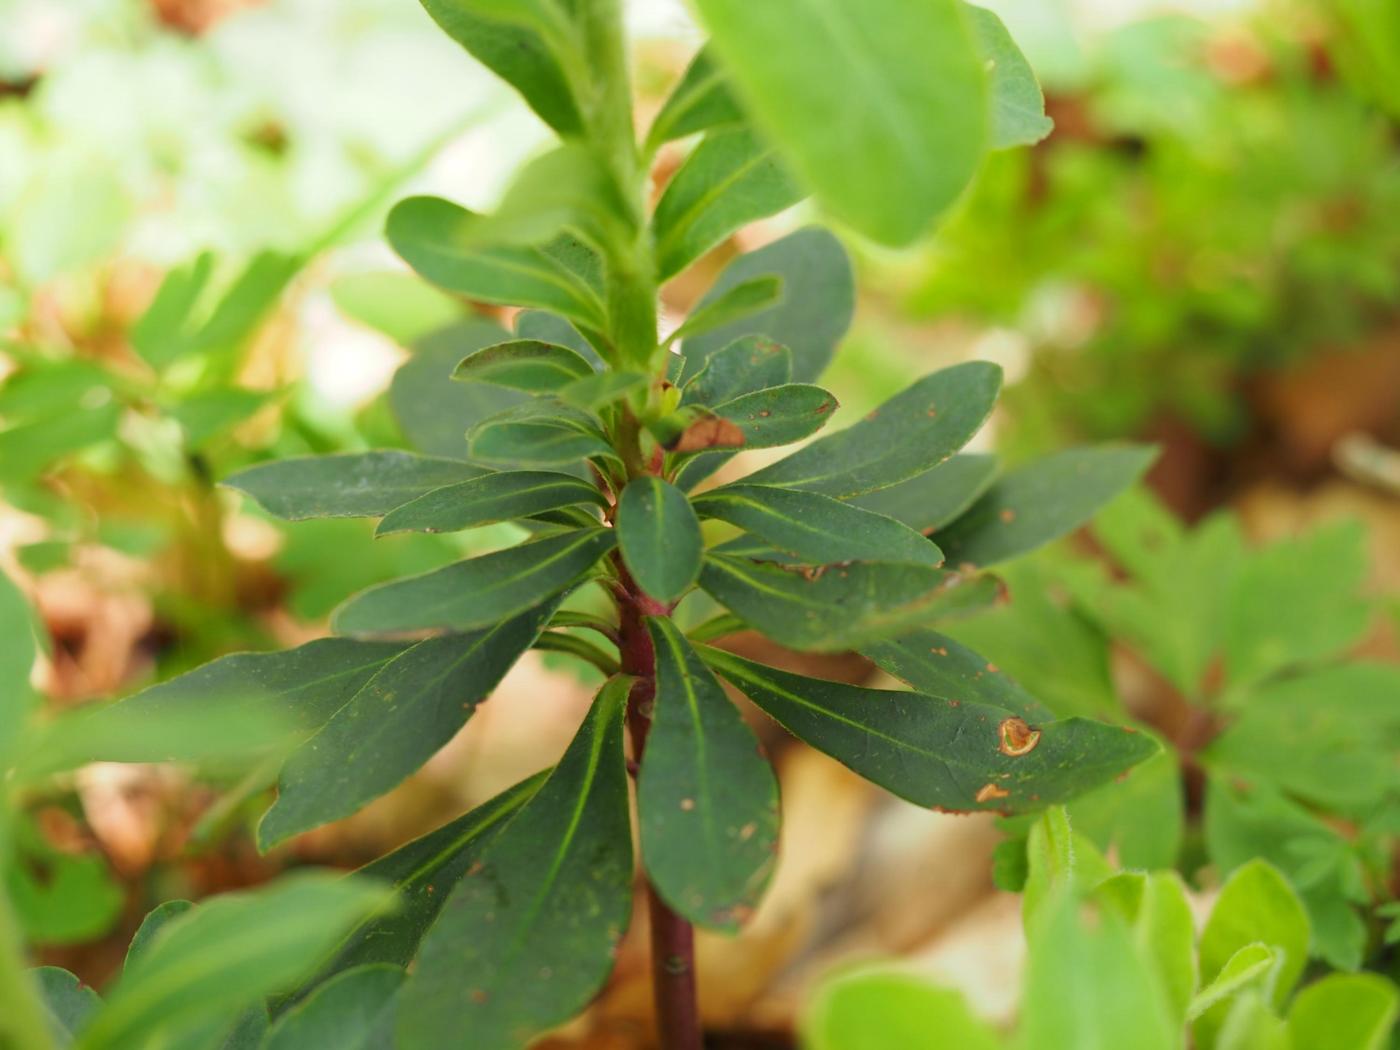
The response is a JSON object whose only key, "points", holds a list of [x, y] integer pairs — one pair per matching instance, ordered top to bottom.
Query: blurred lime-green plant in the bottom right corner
{"points": [[1115, 961]]}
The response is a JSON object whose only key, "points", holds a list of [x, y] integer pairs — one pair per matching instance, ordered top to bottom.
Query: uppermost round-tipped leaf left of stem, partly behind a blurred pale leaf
{"points": [[436, 239]]}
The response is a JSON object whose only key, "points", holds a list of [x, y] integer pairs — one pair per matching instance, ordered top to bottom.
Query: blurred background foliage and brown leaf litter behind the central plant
{"points": [[1206, 253]]}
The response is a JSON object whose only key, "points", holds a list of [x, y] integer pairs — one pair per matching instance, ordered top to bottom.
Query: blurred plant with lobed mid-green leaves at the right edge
{"points": [[1277, 744]]}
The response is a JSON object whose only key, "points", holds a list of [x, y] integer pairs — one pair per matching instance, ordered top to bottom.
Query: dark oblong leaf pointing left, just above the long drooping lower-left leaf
{"points": [[479, 591]]}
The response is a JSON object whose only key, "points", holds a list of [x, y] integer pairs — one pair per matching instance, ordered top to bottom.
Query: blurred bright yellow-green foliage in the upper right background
{"points": [[1156, 255]]}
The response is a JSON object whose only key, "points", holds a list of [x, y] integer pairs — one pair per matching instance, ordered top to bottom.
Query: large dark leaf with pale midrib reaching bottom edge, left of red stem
{"points": [[528, 936]]}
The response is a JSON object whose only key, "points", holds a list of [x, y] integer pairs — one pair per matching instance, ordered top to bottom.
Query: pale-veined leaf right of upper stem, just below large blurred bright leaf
{"points": [[731, 180]]}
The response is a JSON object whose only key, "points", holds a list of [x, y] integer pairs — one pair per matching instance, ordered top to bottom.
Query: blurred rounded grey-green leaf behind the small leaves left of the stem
{"points": [[435, 412]]}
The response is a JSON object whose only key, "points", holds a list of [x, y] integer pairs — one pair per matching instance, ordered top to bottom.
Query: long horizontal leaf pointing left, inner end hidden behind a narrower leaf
{"points": [[346, 485]]}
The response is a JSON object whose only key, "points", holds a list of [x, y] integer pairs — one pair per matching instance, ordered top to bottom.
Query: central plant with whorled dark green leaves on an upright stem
{"points": [[586, 430]]}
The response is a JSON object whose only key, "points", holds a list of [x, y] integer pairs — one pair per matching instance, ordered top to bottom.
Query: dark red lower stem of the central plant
{"points": [[673, 939]]}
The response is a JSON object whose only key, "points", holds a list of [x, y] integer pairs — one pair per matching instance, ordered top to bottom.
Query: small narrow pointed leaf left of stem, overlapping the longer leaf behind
{"points": [[493, 498]]}
